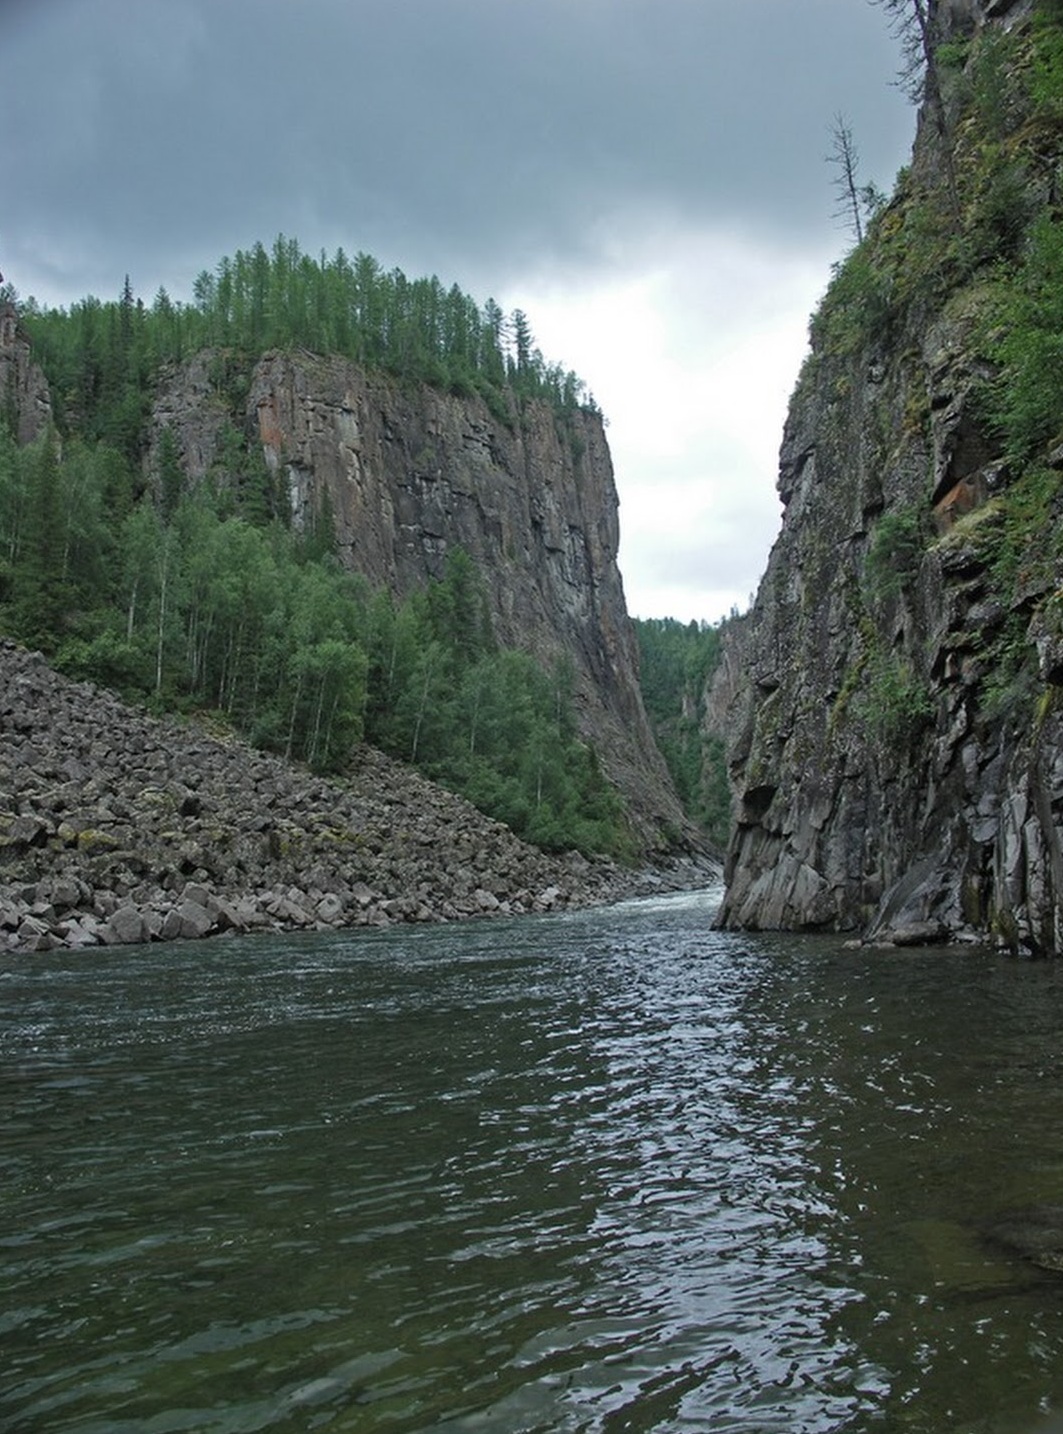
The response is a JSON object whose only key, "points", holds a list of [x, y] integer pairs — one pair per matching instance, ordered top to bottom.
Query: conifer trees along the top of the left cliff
{"points": [[101, 356]]}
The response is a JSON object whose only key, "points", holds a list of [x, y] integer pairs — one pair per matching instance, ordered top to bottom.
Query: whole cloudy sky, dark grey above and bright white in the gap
{"points": [[645, 179]]}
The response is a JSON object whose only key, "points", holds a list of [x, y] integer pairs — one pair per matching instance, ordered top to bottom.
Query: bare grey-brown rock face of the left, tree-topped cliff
{"points": [[410, 474]]}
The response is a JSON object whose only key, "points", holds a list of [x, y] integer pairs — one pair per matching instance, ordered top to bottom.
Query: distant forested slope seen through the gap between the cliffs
{"points": [[676, 662]]}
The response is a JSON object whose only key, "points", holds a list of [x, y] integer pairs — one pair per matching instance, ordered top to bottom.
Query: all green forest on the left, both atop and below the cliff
{"points": [[207, 602]]}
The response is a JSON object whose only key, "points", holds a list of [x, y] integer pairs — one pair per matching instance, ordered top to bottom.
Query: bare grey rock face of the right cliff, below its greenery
{"points": [[890, 781]]}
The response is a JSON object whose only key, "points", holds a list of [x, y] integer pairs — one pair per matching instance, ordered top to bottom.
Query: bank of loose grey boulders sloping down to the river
{"points": [[118, 828]]}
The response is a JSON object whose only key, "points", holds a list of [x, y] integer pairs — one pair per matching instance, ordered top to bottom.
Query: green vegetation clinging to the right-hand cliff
{"points": [[992, 249]]}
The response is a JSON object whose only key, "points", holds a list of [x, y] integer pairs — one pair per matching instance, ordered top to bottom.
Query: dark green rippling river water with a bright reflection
{"points": [[606, 1172]]}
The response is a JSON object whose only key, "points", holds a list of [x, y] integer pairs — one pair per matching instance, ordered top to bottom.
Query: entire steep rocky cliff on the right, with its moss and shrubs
{"points": [[899, 751]]}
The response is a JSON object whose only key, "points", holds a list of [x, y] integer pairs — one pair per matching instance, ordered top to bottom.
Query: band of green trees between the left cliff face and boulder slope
{"points": [[200, 603]]}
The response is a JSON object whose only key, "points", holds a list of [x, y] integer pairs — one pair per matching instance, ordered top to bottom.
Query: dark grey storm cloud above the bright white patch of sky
{"points": [[473, 138]]}
